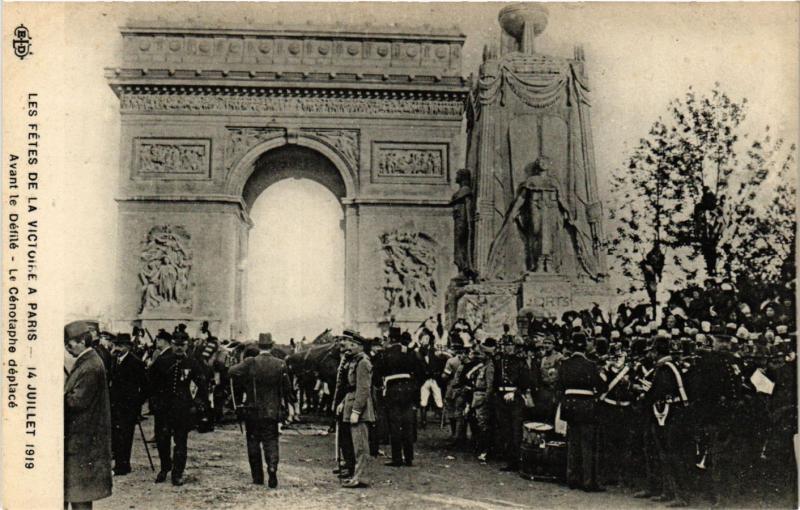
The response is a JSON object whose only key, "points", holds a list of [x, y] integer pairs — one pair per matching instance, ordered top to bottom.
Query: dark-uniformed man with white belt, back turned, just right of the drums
{"points": [[579, 382]]}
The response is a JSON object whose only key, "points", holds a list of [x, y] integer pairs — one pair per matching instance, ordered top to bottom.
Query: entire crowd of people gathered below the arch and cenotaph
{"points": [[693, 407]]}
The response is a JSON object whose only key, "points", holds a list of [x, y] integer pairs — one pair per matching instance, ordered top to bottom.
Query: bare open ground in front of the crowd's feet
{"points": [[218, 476]]}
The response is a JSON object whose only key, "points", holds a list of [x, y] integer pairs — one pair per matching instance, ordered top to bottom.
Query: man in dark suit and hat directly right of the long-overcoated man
{"points": [[127, 397]]}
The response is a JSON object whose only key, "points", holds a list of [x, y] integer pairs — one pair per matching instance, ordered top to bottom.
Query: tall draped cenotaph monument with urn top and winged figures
{"points": [[538, 234]]}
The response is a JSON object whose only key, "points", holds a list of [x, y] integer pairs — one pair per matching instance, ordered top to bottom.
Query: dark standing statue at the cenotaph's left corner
{"points": [[463, 236]]}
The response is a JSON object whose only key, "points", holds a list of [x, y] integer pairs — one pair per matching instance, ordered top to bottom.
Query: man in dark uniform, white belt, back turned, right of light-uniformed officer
{"points": [[398, 371]]}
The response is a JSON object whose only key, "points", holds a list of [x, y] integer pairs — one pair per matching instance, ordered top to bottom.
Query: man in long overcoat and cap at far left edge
{"points": [[87, 422]]}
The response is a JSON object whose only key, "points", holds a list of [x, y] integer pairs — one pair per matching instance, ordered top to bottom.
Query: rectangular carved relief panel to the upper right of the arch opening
{"points": [[409, 162]]}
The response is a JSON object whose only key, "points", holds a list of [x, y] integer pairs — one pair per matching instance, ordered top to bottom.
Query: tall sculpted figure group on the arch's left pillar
{"points": [[166, 262]]}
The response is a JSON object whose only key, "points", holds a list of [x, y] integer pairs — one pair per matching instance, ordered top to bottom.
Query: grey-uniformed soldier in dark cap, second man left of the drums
{"points": [[480, 377]]}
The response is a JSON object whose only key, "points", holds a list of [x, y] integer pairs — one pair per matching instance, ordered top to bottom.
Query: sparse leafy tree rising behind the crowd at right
{"points": [[690, 189]]}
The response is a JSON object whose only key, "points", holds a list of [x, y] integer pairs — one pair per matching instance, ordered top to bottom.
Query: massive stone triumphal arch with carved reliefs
{"points": [[213, 116]]}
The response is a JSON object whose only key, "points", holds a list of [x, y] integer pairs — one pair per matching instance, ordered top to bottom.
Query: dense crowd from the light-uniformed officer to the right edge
{"points": [[696, 407]]}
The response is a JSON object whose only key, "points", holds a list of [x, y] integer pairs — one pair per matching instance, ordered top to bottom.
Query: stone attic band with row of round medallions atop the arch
{"points": [[309, 49]]}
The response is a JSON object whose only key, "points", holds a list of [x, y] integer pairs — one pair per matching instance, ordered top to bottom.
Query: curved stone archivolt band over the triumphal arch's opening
{"points": [[242, 170]]}
